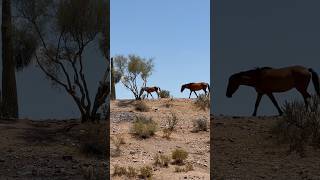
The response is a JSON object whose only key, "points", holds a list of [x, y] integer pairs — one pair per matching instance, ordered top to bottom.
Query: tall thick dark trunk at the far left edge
{"points": [[9, 89]]}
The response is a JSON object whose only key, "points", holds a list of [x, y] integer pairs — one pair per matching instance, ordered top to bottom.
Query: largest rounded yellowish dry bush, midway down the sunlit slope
{"points": [[144, 127]]}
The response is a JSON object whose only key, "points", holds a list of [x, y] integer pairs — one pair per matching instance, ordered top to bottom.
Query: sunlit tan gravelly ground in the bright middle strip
{"points": [[140, 152]]}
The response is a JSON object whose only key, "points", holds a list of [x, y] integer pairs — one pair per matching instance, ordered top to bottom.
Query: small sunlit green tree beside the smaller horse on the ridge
{"points": [[134, 69]]}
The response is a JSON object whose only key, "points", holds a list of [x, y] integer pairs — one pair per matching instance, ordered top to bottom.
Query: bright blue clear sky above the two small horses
{"points": [[175, 33]]}
